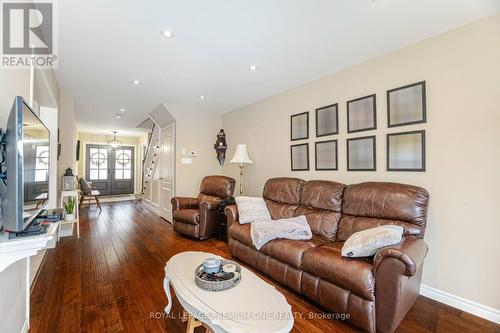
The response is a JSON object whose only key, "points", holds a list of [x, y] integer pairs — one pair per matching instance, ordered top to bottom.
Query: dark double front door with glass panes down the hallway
{"points": [[110, 170]]}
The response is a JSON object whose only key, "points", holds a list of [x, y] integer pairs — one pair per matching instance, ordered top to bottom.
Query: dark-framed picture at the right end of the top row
{"points": [[406, 105]]}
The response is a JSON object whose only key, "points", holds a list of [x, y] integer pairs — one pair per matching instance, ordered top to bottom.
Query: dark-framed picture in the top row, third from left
{"points": [[362, 114]]}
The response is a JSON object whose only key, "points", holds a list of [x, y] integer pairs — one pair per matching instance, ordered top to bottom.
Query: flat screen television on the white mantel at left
{"points": [[28, 167]]}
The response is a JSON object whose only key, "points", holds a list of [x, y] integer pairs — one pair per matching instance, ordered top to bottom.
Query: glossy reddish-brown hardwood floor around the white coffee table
{"points": [[111, 280]]}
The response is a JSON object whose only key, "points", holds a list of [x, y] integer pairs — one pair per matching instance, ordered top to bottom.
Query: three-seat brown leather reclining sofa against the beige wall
{"points": [[375, 292]]}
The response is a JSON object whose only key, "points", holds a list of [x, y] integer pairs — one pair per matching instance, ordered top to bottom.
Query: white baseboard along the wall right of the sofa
{"points": [[463, 304]]}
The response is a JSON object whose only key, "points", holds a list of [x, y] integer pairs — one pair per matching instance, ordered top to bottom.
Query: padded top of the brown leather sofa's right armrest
{"points": [[411, 252]]}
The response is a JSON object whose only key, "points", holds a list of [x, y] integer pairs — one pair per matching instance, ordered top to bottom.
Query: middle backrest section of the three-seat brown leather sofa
{"points": [[321, 203]]}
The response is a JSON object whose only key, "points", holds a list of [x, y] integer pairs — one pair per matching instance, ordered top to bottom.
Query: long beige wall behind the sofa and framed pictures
{"points": [[462, 70]]}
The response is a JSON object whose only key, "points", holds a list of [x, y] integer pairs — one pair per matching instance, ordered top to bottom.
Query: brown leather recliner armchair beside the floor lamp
{"points": [[200, 217]]}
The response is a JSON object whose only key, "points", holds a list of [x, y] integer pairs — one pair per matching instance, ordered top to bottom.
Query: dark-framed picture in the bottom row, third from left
{"points": [[361, 154]]}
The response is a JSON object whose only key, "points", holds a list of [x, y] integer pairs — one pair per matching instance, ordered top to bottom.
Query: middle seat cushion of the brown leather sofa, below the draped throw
{"points": [[291, 251]]}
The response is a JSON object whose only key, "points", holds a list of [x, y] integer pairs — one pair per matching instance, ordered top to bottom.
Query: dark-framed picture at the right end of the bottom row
{"points": [[406, 151]]}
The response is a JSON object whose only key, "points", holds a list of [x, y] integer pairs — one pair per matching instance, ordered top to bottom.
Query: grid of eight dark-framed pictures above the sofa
{"points": [[405, 151]]}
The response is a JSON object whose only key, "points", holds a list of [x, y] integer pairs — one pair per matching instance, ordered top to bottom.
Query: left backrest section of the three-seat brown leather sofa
{"points": [[282, 196]]}
